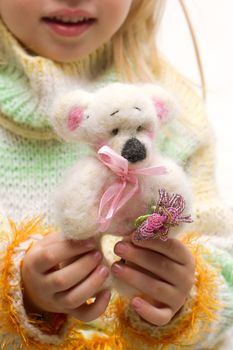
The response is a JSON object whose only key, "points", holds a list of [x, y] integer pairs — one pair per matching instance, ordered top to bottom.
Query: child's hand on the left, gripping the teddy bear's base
{"points": [[59, 276]]}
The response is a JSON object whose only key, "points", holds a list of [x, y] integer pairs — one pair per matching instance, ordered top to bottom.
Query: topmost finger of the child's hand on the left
{"points": [[44, 258]]}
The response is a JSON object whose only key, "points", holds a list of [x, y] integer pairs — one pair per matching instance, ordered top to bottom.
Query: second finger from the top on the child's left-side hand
{"points": [[72, 274]]}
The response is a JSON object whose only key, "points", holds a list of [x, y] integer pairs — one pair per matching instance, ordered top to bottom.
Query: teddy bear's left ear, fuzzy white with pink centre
{"points": [[69, 113]]}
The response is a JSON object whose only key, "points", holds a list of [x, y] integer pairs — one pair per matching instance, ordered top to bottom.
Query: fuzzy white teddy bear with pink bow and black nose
{"points": [[125, 176]]}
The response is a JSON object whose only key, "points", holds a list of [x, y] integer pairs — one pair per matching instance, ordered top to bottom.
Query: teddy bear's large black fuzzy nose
{"points": [[133, 150]]}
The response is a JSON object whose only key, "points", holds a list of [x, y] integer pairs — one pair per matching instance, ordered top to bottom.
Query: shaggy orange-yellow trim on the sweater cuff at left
{"points": [[10, 325]]}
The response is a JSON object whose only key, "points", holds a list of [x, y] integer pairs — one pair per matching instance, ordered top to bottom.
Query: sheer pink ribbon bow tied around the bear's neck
{"points": [[116, 196]]}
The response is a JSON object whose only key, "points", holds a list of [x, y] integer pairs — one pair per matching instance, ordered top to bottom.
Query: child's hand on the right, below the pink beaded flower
{"points": [[162, 271]]}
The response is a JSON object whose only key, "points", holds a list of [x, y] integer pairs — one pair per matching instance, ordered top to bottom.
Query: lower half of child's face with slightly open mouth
{"points": [[40, 25]]}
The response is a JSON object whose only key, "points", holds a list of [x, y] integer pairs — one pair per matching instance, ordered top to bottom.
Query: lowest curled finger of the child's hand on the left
{"points": [[88, 313]]}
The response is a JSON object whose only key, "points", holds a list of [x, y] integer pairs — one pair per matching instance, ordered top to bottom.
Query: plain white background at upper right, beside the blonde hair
{"points": [[213, 24]]}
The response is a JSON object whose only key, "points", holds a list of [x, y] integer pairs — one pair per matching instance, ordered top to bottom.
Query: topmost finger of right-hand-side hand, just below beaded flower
{"points": [[172, 248]]}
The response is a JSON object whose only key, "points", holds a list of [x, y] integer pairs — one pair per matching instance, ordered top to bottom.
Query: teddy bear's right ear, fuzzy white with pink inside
{"points": [[164, 103]]}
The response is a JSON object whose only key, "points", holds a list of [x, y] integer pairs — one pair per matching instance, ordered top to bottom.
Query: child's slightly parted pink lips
{"points": [[68, 29]]}
